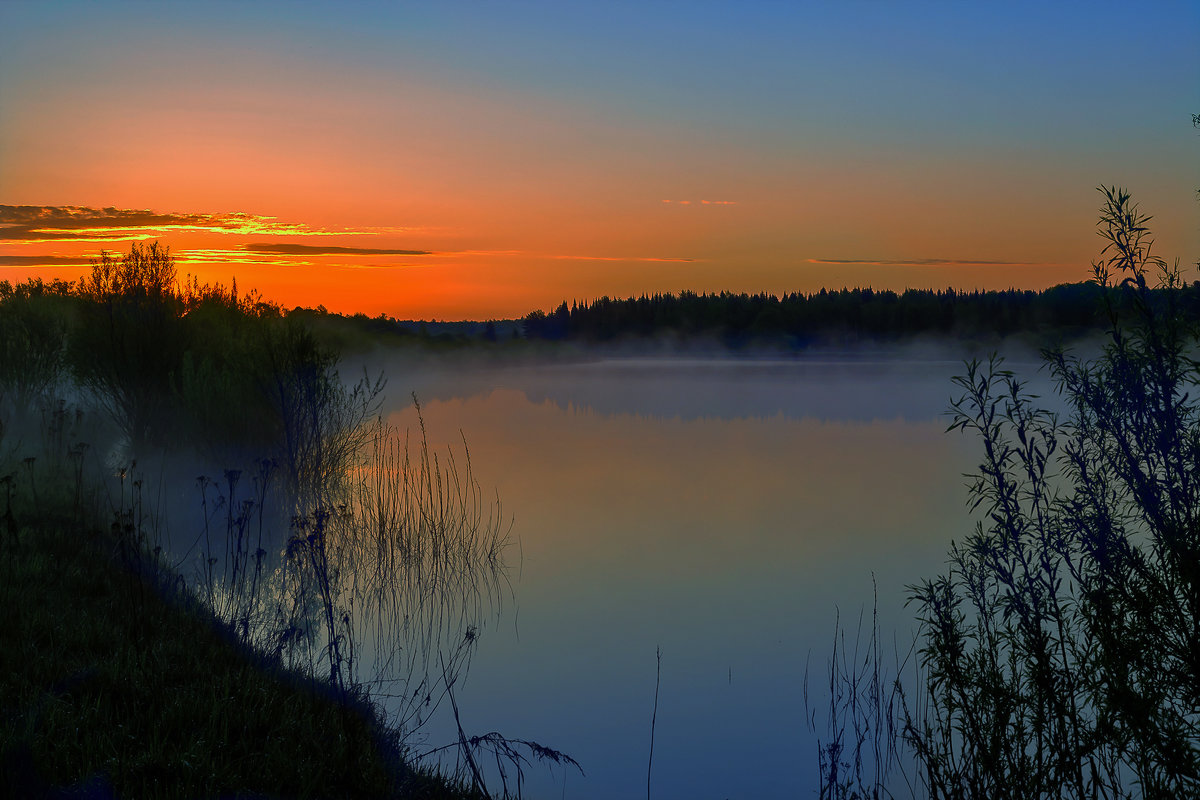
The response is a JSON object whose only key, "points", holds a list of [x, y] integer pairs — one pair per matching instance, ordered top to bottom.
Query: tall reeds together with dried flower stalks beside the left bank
{"points": [[376, 586]]}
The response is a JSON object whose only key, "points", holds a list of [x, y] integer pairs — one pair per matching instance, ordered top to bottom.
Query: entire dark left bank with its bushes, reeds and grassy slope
{"points": [[292, 627]]}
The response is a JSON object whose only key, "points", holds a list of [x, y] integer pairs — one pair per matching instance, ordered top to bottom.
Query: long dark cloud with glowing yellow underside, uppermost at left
{"points": [[82, 224]]}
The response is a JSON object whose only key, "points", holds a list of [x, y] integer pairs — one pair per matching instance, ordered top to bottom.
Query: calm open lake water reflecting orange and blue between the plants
{"points": [[723, 512]]}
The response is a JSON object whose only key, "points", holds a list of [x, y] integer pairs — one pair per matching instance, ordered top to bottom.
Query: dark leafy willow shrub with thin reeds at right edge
{"points": [[1060, 654]]}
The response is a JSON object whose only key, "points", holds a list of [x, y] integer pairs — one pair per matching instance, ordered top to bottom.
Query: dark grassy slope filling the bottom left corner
{"points": [[116, 685]]}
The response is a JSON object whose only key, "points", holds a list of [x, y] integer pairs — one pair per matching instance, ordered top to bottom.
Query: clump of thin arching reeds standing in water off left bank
{"points": [[397, 578]]}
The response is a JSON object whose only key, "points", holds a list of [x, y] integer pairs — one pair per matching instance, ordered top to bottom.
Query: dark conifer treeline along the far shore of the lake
{"points": [[740, 322]]}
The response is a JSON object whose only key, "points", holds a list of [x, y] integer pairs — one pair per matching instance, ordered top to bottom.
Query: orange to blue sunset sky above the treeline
{"points": [[476, 161]]}
